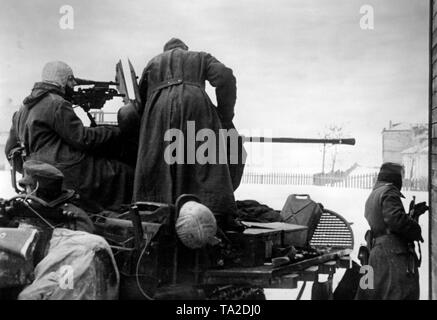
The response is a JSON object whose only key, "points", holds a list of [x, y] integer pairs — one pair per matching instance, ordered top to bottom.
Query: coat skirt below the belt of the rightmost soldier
{"points": [[395, 271]]}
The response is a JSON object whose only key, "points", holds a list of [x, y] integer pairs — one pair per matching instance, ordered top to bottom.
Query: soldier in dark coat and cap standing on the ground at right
{"points": [[391, 240]]}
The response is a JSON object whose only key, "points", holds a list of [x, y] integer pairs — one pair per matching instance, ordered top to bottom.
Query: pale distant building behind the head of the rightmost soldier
{"points": [[399, 137]]}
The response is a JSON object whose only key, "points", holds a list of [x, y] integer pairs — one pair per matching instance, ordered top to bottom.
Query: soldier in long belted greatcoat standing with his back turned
{"points": [[172, 89]]}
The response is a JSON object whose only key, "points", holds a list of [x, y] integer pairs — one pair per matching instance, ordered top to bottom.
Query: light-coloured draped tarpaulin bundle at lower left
{"points": [[78, 266]]}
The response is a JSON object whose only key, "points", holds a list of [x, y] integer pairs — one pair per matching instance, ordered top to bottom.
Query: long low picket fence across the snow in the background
{"points": [[359, 181]]}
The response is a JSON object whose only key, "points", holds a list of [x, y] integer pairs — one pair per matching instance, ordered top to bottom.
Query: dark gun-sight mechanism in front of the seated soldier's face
{"points": [[94, 95]]}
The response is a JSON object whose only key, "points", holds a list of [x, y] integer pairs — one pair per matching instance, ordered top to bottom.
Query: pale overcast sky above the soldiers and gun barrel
{"points": [[301, 65]]}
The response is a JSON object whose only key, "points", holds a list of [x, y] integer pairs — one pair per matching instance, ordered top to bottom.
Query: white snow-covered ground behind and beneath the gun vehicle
{"points": [[347, 202]]}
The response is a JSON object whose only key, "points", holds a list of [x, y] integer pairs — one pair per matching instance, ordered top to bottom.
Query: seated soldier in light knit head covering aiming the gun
{"points": [[48, 130]]}
